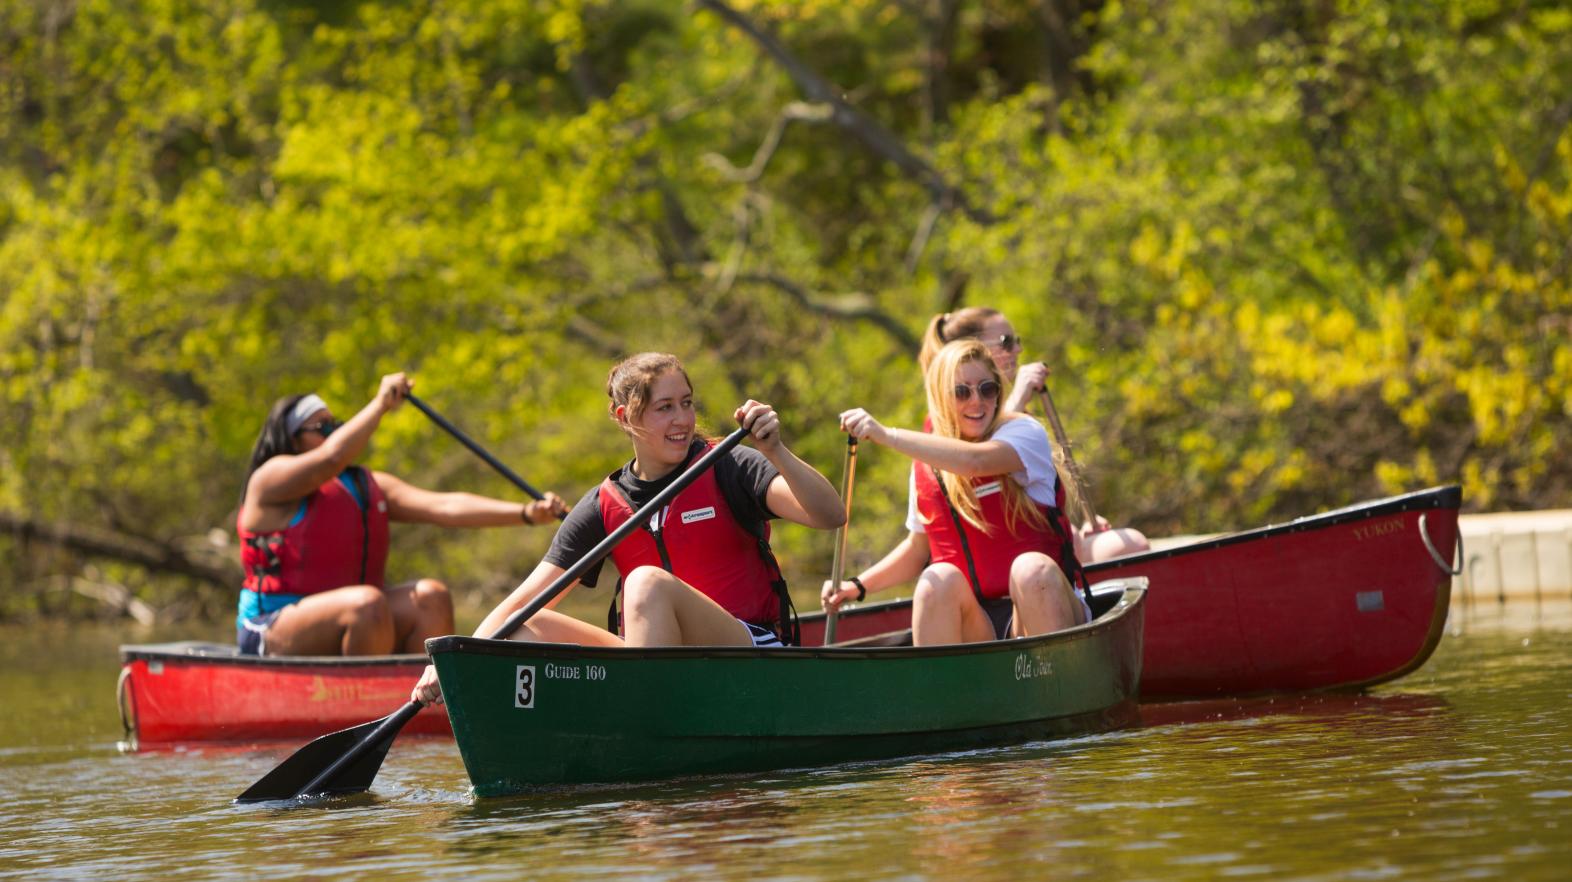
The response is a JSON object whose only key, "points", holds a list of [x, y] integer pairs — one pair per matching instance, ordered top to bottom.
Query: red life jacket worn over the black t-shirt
{"points": [[699, 540]]}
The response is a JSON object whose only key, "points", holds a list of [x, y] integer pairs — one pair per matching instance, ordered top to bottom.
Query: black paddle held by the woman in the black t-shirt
{"points": [[347, 762]]}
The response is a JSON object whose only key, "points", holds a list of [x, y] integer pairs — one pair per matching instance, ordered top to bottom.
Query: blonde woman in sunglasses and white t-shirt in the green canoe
{"points": [[986, 510]]}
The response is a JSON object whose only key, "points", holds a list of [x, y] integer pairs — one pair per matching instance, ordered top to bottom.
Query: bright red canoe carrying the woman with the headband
{"points": [[207, 693]]}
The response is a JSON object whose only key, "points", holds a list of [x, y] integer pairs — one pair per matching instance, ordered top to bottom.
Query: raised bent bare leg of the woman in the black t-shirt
{"points": [[663, 611]]}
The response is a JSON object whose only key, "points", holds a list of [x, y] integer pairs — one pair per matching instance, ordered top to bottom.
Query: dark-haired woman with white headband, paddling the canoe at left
{"points": [[314, 535]]}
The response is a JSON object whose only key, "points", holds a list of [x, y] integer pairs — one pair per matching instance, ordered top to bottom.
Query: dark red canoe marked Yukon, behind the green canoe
{"points": [[1342, 600]]}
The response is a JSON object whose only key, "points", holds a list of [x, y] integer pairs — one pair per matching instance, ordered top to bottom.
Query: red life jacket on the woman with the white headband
{"points": [[337, 543]]}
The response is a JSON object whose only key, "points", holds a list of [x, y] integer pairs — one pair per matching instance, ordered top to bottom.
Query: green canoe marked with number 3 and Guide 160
{"points": [[529, 715]]}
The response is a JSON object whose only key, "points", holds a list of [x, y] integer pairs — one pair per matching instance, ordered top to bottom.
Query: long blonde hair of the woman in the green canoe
{"points": [[941, 381]]}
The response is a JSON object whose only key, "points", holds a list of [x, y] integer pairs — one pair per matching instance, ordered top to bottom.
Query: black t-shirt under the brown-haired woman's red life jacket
{"points": [[744, 479]]}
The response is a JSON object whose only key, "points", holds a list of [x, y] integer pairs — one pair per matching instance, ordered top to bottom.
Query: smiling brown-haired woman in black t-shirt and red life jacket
{"points": [[702, 571]]}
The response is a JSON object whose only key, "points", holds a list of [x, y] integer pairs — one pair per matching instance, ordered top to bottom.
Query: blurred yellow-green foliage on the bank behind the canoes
{"points": [[1280, 257]]}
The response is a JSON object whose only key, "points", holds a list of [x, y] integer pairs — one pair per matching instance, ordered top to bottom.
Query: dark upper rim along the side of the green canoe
{"points": [[1134, 594]]}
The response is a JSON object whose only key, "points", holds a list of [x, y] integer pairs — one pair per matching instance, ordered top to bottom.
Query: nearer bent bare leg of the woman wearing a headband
{"points": [[343, 622]]}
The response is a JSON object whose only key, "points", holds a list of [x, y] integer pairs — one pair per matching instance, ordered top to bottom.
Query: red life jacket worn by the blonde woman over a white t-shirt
{"points": [[986, 557]]}
